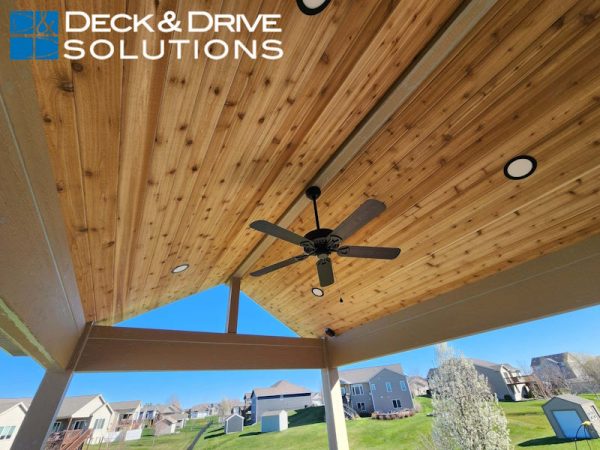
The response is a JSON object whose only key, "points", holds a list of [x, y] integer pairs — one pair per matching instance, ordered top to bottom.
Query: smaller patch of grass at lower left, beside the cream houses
{"points": [[178, 441]]}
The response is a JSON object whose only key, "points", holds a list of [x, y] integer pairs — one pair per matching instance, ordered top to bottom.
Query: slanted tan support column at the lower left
{"points": [[42, 412]]}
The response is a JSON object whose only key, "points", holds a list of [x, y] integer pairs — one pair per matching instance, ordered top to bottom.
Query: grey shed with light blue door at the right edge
{"points": [[566, 413]]}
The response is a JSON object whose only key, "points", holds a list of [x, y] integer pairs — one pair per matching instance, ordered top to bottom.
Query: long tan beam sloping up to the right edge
{"points": [[559, 282]]}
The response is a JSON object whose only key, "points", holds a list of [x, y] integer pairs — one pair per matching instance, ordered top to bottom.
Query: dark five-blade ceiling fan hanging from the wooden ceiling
{"points": [[321, 242]]}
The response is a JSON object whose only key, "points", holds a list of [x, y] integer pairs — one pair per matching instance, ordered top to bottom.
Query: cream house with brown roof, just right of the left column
{"points": [[86, 412]]}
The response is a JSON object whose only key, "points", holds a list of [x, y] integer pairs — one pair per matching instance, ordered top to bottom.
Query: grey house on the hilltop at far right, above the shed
{"points": [[561, 366]]}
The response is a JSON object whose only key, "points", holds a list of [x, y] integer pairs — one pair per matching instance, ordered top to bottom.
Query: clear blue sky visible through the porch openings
{"points": [[19, 377]]}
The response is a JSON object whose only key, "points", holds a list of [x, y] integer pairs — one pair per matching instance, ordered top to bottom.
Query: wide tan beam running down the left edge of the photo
{"points": [[41, 309]]}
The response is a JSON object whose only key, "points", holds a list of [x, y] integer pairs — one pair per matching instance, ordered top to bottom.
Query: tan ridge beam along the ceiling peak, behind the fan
{"points": [[397, 95]]}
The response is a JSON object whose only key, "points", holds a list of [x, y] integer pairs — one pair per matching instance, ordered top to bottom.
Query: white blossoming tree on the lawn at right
{"points": [[466, 413]]}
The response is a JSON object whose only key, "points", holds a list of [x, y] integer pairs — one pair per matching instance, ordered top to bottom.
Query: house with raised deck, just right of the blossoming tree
{"points": [[505, 381]]}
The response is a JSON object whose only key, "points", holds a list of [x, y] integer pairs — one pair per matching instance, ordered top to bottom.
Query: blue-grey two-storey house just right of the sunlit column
{"points": [[378, 388]]}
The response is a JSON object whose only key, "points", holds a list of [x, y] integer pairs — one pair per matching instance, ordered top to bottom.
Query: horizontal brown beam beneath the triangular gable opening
{"points": [[117, 349]]}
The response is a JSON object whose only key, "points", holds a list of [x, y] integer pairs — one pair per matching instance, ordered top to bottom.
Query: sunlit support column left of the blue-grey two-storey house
{"points": [[334, 410]]}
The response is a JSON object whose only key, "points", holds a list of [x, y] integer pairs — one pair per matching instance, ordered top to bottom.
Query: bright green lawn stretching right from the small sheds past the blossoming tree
{"points": [[528, 428]]}
